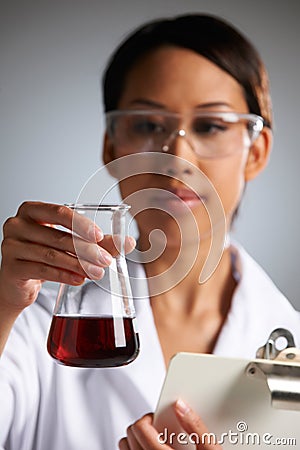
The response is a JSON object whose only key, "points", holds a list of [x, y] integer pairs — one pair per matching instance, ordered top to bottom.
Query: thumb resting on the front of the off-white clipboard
{"points": [[192, 423]]}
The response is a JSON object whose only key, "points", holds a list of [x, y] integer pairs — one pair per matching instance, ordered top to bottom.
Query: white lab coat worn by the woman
{"points": [[46, 406]]}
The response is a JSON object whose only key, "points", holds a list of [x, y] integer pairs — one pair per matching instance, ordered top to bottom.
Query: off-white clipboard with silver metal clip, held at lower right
{"points": [[245, 404]]}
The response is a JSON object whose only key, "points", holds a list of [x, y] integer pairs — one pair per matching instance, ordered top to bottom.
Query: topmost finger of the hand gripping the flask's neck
{"points": [[47, 213]]}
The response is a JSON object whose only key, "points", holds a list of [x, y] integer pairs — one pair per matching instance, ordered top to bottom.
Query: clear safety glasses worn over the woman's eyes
{"points": [[209, 134]]}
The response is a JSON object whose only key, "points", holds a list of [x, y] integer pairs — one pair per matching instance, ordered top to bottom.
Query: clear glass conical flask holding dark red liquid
{"points": [[93, 325]]}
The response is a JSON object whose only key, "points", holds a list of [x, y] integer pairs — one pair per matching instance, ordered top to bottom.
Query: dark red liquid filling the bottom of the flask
{"points": [[90, 342]]}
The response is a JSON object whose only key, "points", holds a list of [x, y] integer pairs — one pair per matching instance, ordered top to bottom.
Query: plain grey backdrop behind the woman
{"points": [[51, 56]]}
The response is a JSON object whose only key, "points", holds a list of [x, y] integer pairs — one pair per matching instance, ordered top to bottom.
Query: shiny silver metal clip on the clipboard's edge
{"points": [[278, 364]]}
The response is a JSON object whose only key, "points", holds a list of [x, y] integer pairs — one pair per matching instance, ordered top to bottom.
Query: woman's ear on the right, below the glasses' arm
{"points": [[259, 154]]}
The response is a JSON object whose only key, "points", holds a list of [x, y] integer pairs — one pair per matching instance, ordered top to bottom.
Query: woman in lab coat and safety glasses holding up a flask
{"points": [[195, 91]]}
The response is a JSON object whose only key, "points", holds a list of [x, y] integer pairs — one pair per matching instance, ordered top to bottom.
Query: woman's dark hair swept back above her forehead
{"points": [[208, 36]]}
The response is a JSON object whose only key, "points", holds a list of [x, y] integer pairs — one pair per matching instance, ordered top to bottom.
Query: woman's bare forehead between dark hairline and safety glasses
{"points": [[179, 78]]}
